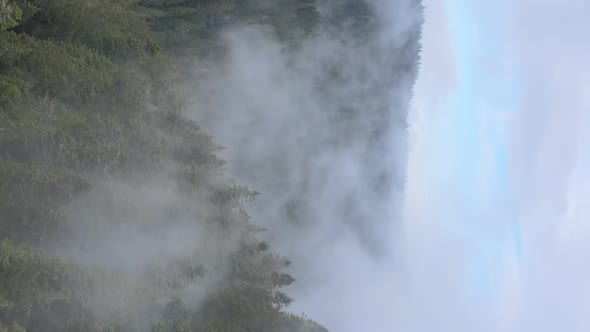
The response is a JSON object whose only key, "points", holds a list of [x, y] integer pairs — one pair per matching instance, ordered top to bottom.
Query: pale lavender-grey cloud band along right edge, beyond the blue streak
{"points": [[551, 163]]}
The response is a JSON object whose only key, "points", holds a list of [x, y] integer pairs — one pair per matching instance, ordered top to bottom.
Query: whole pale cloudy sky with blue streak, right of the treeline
{"points": [[496, 231]]}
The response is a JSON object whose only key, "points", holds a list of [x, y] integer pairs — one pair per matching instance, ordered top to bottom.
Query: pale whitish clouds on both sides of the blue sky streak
{"points": [[544, 46]]}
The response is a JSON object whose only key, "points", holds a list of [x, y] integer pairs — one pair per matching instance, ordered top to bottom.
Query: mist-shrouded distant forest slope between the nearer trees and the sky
{"points": [[320, 129]]}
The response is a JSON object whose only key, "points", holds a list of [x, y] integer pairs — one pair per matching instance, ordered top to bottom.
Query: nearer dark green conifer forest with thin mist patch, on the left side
{"points": [[116, 209]]}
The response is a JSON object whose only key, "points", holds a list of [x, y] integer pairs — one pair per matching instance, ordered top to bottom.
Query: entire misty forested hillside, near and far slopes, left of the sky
{"points": [[116, 191]]}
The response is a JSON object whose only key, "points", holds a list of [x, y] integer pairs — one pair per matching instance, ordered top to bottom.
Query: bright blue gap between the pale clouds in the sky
{"points": [[470, 140]]}
